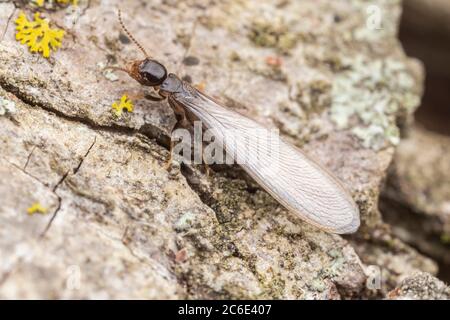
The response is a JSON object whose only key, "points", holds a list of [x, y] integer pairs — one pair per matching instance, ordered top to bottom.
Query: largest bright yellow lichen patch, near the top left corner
{"points": [[38, 35]]}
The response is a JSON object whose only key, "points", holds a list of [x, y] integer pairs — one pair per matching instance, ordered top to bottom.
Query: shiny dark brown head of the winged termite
{"points": [[148, 72]]}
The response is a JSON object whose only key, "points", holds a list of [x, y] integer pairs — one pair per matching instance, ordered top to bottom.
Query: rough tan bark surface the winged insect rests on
{"points": [[122, 226]]}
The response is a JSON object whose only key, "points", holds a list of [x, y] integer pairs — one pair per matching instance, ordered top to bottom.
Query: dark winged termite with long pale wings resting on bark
{"points": [[293, 179]]}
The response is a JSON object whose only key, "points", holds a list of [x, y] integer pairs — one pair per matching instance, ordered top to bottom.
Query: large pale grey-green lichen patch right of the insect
{"points": [[369, 96]]}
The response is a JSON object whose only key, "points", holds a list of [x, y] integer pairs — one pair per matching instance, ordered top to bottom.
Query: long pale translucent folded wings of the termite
{"points": [[284, 171]]}
